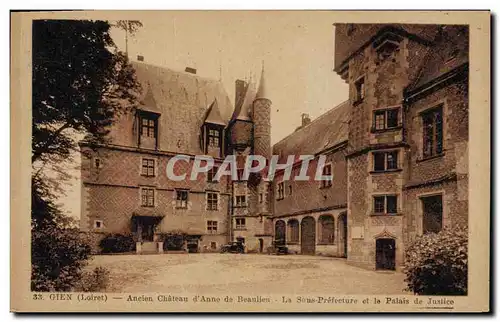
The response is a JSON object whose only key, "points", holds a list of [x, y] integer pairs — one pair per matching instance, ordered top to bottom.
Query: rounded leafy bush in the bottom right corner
{"points": [[436, 264]]}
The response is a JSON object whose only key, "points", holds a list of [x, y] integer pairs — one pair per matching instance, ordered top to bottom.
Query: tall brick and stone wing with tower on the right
{"points": [[408, 71]]}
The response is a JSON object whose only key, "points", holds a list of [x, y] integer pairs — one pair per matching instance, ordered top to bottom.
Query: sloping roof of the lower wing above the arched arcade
{"points": [[326, 131]]}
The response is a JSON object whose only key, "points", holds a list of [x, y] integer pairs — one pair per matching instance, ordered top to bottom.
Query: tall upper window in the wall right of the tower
{"points": [[432, 121]]}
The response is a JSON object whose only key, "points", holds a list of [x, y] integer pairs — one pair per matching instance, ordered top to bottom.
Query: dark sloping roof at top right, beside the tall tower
{"points": [[450, 50]]}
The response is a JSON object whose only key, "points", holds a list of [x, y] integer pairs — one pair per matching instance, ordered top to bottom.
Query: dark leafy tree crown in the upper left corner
{"points": [[80, 82]]}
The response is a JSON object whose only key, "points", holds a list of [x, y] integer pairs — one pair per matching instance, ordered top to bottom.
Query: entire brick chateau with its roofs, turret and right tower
{"points": [[397, 149]]}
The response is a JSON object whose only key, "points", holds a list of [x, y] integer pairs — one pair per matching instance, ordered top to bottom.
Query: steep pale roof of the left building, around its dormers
{"points": [[183, 100]]}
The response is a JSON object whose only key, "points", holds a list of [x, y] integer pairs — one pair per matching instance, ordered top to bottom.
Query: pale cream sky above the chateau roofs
{"points": [[296, 49]]}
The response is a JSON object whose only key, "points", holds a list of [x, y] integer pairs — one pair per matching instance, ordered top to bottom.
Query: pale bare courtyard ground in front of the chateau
{"points": [[244, 273]]}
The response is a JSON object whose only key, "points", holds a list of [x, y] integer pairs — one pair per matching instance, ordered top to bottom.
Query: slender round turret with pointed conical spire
{"points": [[262, 120]]}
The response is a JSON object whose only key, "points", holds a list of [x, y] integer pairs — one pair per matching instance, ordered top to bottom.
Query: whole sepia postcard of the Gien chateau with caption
{"points": [[250, 161]]}
